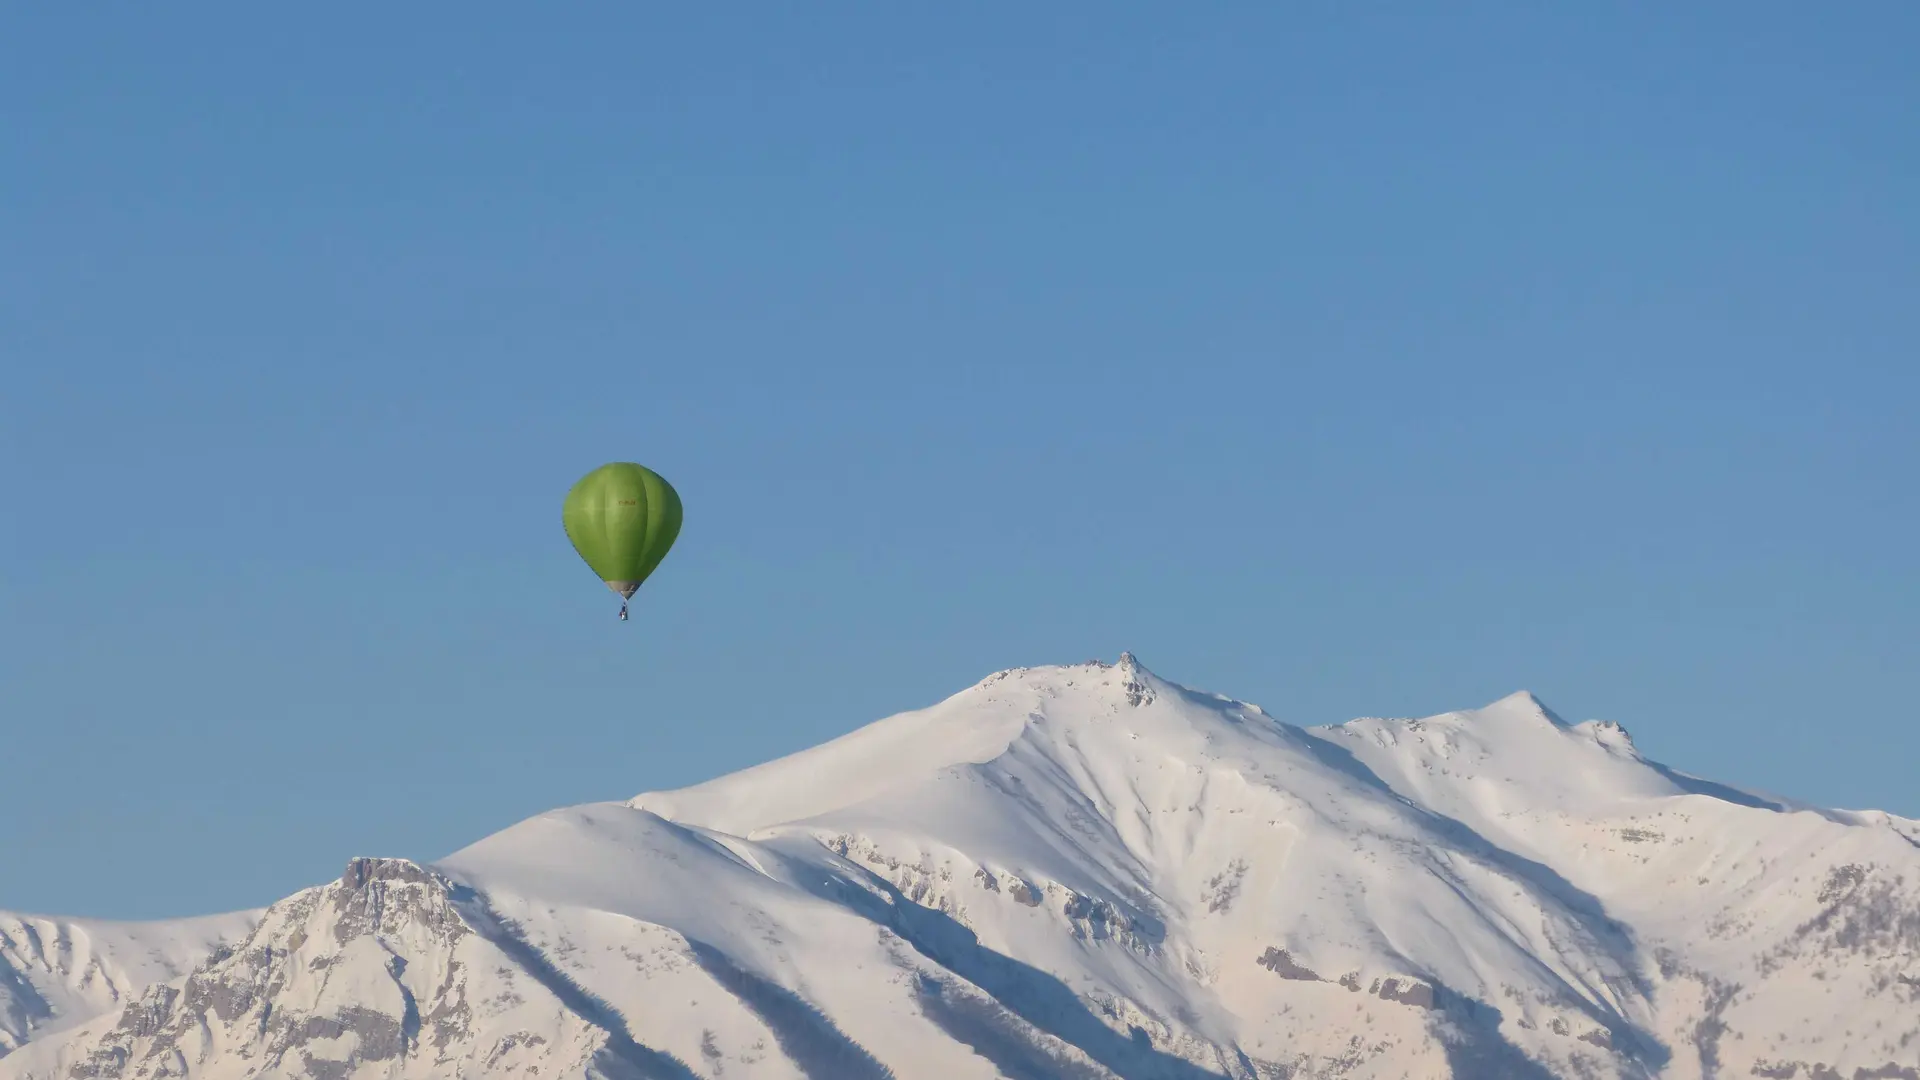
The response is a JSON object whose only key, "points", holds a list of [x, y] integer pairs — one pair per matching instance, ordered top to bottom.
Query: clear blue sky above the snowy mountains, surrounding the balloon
{"points": [[1343, 362]]}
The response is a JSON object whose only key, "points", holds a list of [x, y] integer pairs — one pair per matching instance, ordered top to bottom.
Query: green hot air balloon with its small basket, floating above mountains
{"points": [[623, 518]]}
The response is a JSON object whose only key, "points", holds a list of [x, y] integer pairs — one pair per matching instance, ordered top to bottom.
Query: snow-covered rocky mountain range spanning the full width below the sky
{"points": [[1084, 873]]}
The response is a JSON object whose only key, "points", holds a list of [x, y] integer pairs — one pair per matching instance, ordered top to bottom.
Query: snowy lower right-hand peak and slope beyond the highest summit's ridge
{"points": [[1783, 939]]}
